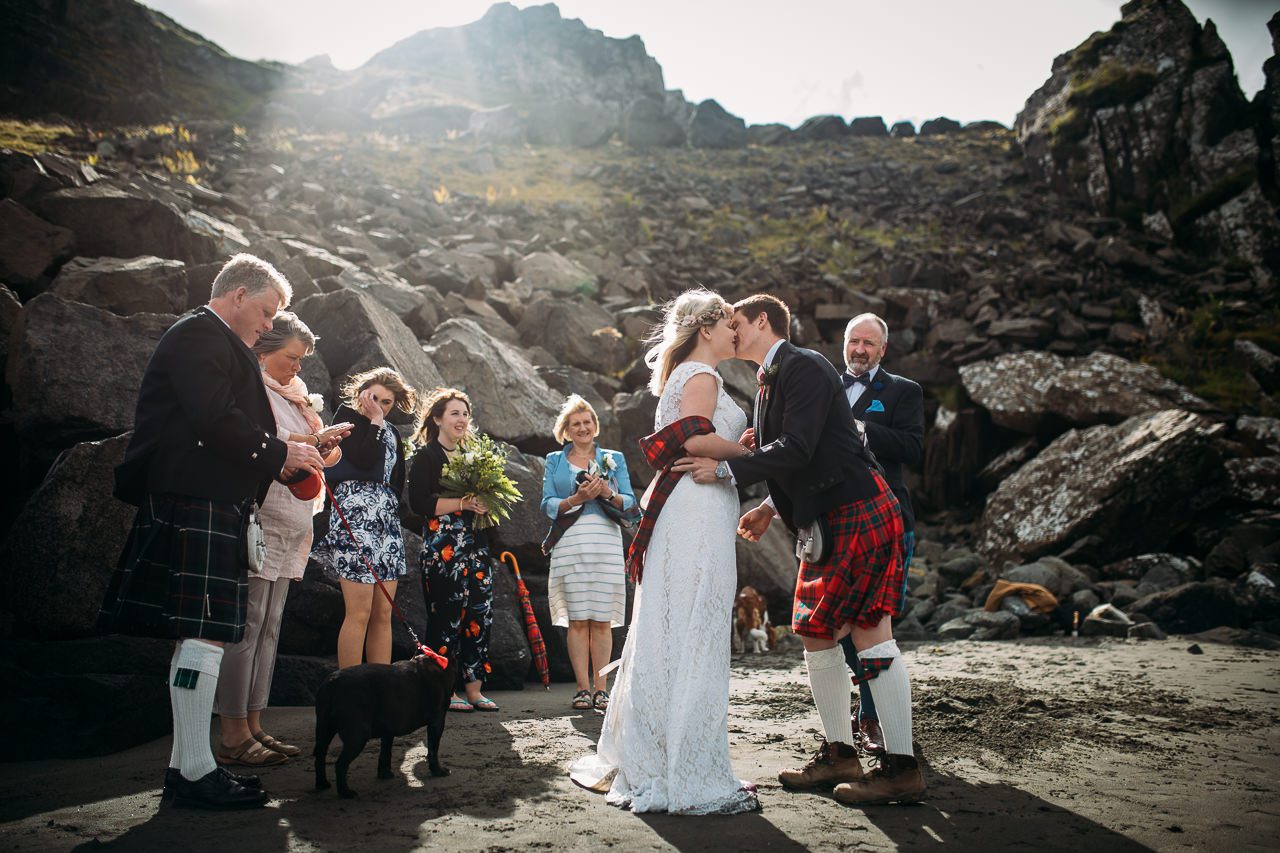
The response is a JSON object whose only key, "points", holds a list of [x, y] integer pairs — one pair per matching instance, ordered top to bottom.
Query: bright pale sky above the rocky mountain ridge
{"points": [[762, 60]]}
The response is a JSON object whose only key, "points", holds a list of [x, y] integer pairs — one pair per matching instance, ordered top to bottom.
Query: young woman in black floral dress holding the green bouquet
{"points": [[455, 559]]}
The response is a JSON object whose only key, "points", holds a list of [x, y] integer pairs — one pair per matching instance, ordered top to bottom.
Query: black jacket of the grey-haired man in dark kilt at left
{"points": [[204, 427]]}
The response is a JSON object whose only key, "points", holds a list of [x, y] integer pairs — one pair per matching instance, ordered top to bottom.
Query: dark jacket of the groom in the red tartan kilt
{"points": [[807, 449]]}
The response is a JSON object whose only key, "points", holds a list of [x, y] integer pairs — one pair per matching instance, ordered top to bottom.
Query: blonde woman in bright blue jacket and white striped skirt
{"points": [[587, 589]]}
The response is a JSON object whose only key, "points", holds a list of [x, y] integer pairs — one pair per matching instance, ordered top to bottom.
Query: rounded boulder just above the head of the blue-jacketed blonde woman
{"points": [[579, 334]]}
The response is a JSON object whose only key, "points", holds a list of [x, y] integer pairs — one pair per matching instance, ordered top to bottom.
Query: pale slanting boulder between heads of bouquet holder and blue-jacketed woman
{"points": [[510, 402]]}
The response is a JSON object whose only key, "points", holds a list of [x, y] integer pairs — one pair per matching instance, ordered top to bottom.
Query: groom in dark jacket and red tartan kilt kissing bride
{"points": [[808, 451]]}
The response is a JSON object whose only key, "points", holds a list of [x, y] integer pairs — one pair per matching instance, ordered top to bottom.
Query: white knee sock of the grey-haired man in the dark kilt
{"points": [[191, 691]]}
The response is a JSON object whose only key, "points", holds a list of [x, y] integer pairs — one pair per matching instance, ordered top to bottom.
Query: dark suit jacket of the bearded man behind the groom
{"points": [[895, 435]]}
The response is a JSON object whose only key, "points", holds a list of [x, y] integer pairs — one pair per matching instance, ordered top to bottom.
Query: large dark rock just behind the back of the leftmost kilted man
{"points": [[75, 371]]}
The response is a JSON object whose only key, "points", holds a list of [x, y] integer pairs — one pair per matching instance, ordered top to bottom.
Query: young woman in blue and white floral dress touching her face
{"points": [[368, 485]]}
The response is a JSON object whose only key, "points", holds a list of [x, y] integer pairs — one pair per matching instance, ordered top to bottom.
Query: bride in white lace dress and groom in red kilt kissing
{"points": [[665, 742]]}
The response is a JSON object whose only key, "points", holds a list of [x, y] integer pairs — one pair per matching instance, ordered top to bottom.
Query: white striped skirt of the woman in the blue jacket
{"points": [[588, 574]]}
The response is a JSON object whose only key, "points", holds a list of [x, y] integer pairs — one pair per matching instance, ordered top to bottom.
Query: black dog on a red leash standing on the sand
{"points": [[382, 701]]}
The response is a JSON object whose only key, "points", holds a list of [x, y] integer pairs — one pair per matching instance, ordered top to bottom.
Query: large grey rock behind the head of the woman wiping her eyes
{"points": [[356, 334]]}
